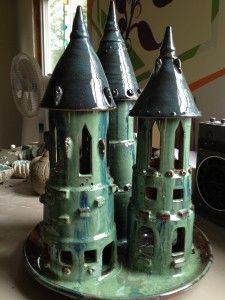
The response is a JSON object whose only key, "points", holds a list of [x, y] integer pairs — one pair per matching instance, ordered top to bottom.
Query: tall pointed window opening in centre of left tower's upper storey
{"points": [[85, 152]]}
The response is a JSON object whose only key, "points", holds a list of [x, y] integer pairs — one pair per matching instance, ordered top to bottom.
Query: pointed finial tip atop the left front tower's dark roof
{"points": [[79, 28]]}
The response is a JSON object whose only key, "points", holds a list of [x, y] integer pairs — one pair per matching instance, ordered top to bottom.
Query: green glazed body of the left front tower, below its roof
{"points": [[73, 232]]}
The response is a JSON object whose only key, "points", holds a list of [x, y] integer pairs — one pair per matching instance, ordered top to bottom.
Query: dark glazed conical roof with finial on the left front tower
{"points": [[78, 82]]}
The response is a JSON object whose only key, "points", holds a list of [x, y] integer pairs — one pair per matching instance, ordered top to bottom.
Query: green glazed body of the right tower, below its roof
{"points": [[160, 225]]}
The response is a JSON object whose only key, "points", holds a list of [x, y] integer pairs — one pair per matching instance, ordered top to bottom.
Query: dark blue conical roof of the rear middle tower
{"points": [[116, 61]]}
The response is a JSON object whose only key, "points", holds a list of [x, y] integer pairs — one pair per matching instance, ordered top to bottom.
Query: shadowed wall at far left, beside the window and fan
{"points": [[16, 35]]}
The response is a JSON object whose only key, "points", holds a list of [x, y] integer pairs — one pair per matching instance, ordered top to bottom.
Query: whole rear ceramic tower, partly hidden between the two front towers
{"points": [[124, 87]]}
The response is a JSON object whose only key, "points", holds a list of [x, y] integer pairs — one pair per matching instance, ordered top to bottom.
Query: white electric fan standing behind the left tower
{"points": [[28, 87]]}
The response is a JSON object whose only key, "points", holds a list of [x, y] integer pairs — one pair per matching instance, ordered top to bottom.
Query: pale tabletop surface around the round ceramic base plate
{"points": [[20, 210]]}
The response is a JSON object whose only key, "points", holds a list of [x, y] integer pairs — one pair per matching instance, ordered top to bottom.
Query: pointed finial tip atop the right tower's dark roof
{"points": [[167, 49]]}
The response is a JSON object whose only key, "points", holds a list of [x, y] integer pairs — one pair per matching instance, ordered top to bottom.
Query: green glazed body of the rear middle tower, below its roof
{"points": [[122, 148]]}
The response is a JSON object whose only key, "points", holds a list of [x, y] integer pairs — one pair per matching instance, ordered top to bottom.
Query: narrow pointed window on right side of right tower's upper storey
{"points": [[179, 147]]}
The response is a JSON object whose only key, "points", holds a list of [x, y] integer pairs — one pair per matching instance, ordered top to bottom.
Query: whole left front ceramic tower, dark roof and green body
{"points": [[77, 235]]}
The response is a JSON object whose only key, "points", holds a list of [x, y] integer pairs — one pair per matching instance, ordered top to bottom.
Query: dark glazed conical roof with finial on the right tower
{"points": [[167, 94]]}
